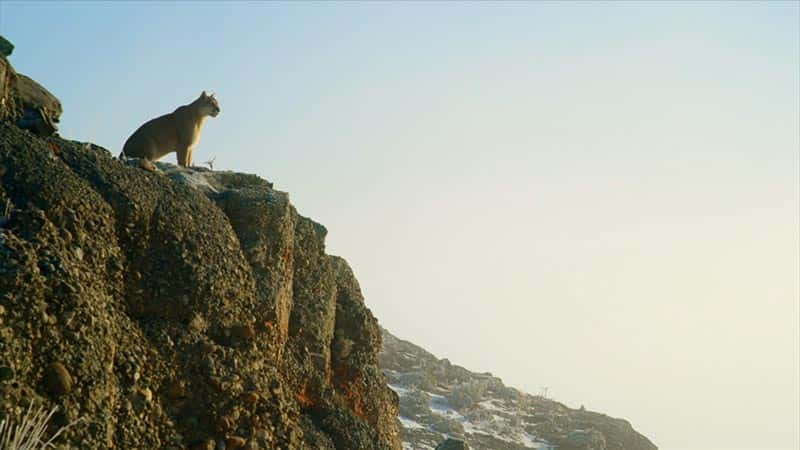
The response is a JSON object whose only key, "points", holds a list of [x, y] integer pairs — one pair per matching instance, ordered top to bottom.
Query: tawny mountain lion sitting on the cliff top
{"points": [[178, 131]]}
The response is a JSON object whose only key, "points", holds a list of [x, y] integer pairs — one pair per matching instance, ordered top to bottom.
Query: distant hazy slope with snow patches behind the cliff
{"points": [[439, 399]]}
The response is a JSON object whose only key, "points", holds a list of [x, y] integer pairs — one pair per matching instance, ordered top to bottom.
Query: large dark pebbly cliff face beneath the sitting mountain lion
{"points": [[181, 309]]}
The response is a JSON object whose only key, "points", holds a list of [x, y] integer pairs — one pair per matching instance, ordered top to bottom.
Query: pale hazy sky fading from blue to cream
{"points": [[598, 198]]}
